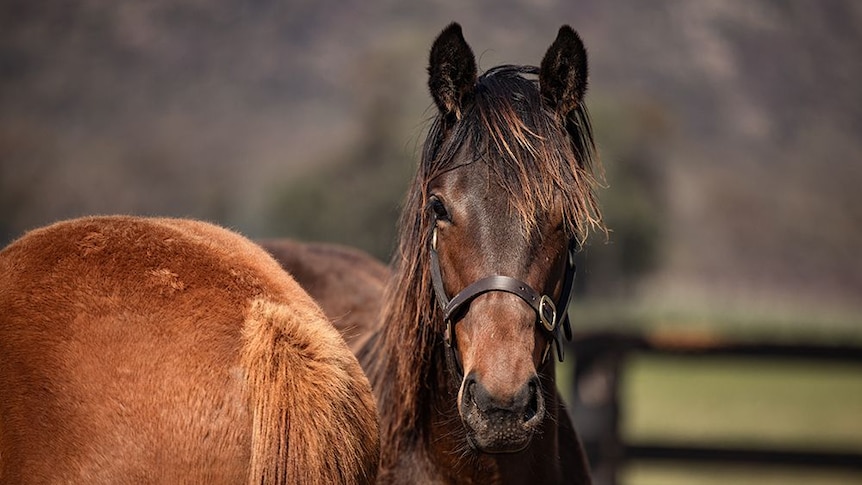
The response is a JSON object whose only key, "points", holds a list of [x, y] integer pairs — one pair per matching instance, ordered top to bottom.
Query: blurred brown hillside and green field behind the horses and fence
{"points": [[729, 131]]}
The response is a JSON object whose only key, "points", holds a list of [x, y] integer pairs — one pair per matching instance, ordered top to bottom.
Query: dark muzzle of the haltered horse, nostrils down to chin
{"points": [[501, 424]]}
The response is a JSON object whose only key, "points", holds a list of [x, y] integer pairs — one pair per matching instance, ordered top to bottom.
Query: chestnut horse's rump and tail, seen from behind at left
{"points": [[147, 350]]}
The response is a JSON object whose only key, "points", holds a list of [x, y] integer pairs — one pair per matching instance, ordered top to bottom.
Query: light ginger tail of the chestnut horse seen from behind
{"points": [[314, 417]]}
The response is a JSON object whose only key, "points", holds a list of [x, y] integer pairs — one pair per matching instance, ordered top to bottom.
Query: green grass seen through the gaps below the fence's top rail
{"points": [[751, 403]]}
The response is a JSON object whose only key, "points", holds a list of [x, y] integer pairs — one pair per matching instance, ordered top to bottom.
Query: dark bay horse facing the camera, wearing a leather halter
{"points": [[459, 358]]}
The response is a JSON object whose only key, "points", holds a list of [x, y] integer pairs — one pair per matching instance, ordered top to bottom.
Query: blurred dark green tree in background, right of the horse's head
{"points": [[630, 137]]}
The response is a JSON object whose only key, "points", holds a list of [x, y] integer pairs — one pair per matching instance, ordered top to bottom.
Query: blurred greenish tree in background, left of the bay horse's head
{"points": [[355, 198]]}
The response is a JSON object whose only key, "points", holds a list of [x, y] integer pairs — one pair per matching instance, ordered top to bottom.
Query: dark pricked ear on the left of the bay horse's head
{"points": [[451, 71]]}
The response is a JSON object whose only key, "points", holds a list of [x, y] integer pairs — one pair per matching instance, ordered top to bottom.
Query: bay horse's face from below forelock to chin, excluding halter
{"points": [[498, 344]]}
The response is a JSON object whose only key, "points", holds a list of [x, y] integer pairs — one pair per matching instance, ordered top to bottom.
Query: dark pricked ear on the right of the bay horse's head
{"points": [[563, 74]]}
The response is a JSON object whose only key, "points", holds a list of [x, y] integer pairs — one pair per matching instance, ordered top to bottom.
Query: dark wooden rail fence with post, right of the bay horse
{"points": [[600, 362]]}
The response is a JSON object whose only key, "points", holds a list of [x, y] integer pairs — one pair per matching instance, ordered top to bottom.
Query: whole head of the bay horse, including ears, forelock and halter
{"points": [[506, 191]]}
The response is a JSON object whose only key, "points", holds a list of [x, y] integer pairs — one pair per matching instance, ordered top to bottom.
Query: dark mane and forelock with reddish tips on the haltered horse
{"points": [[528, 154]]}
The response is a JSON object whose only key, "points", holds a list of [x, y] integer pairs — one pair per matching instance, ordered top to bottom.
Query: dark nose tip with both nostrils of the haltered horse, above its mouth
{"points": [[523, 406]]}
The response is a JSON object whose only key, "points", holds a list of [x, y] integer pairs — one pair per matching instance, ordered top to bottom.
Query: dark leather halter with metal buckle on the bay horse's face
{"points": [[547, 314]]}
